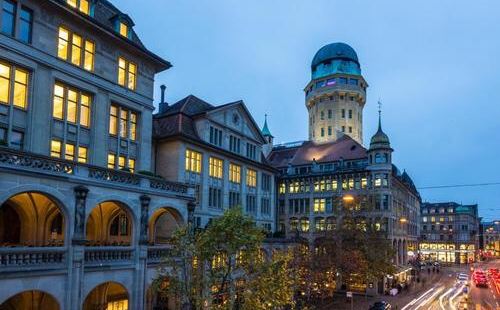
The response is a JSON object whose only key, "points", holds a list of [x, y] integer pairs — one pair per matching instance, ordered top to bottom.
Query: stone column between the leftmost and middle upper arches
{"points": [[77, 252]]}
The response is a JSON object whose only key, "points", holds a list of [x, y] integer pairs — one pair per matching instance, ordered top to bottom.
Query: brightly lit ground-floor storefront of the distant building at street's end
{"points": [[448, 252]]}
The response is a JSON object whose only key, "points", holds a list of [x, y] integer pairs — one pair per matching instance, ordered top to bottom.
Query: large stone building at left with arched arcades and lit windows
{"points": [[79, 220]]}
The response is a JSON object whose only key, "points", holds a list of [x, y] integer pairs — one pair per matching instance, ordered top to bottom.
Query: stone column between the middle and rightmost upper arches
{"points": [[141, 259]]}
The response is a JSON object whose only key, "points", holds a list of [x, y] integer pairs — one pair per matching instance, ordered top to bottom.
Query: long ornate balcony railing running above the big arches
{"points": [[14, 159]]}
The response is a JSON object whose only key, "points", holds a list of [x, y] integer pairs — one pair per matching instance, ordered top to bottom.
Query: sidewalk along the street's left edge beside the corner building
{"points": [[361, 302]]}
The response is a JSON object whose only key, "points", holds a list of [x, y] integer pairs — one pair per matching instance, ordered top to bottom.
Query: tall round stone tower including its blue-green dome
{"points": [[336, 94]]}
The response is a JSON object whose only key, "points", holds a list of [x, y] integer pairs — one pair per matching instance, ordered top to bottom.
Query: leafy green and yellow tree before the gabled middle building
{"points": [[224, 267]]}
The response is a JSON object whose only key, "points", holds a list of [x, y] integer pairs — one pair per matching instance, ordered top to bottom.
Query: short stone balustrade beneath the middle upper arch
{"points": [[108, 255]]}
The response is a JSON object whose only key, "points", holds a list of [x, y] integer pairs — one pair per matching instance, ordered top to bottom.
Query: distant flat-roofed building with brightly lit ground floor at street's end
{"points": [[449, 232]]}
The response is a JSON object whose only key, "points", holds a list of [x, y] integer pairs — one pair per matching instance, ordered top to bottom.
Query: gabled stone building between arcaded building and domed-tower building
{"points": [[219, 151]]}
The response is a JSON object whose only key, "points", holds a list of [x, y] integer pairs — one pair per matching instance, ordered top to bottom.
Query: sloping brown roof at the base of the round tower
{"points": [[344, 148]]}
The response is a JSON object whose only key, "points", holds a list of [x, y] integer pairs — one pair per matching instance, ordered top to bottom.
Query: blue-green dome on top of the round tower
{"points": [[335, 58]]}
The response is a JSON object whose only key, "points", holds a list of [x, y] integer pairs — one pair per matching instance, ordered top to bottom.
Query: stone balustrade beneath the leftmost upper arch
{"points": [[32, 258]]}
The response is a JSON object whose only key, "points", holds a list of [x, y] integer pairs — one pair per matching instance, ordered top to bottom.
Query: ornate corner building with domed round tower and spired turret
{"points": [[321, 178]]}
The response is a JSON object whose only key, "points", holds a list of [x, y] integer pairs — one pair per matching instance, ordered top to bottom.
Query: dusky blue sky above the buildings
{"points": [[435, 65]]}
